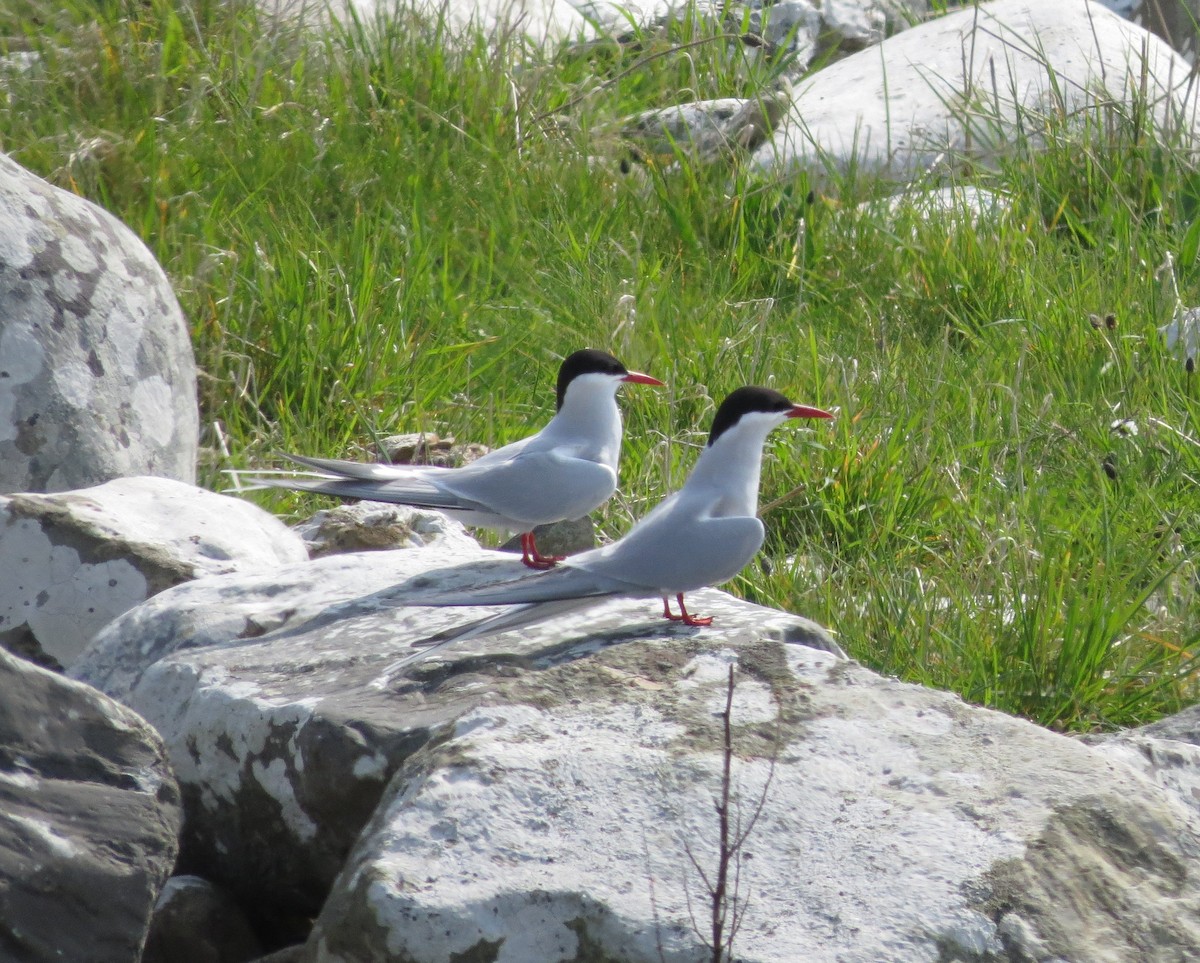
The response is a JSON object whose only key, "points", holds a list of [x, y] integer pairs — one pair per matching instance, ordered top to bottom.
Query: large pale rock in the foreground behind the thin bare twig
{"points": [[573, 815]]}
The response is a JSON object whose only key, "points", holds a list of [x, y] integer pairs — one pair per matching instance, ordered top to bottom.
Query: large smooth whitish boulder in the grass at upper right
{"points": [[964, 86]]}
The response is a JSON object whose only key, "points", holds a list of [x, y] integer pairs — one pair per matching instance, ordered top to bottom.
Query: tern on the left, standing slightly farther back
{"points": [[565, 471]]}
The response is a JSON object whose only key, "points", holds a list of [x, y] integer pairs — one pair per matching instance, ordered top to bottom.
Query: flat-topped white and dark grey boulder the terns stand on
{"points": [[284, 714]]}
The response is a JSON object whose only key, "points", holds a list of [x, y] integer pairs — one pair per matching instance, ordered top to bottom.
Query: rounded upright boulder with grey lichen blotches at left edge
{"points": [[98, 379]]}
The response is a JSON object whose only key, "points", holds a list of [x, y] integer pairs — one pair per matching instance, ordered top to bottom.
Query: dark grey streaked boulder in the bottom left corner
{"points": [[89, 818]]}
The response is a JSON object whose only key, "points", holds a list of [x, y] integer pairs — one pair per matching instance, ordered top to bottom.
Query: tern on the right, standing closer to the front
{"points": [[703, 535]]}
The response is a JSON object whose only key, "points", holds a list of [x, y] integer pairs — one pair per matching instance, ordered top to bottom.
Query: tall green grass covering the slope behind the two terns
{"points": [[392, 229]]}
